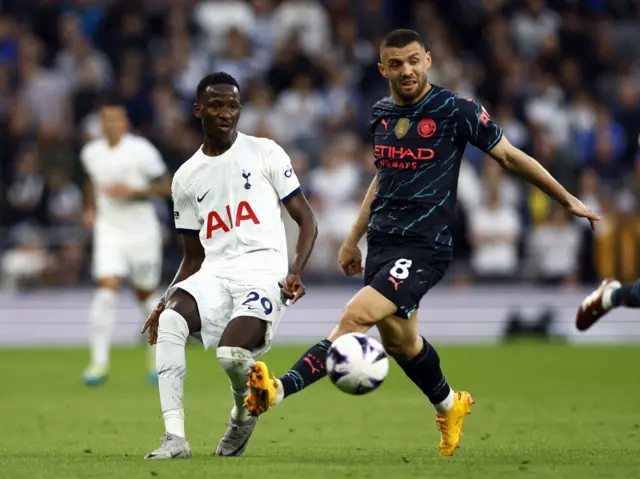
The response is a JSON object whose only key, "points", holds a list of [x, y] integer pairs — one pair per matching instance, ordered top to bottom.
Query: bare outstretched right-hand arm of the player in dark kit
{"points": [[516, 161]]}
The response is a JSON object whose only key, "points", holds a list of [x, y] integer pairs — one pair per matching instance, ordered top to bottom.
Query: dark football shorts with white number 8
{"points": [[404, 274]]}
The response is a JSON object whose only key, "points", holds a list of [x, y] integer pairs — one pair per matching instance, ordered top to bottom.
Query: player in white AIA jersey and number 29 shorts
{"points": [[234, 280]]}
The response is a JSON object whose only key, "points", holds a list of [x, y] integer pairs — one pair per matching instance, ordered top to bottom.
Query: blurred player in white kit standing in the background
{"points": [[124, 172]]}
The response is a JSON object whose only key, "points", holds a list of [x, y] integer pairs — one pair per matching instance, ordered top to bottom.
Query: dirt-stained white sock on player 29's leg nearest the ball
{"points": [[236, 362]]}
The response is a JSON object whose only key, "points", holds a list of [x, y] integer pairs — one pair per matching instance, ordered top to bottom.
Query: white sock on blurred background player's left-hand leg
{"points": [[102, 319]]}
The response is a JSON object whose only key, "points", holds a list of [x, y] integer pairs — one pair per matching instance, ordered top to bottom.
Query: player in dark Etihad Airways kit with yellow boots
{"points": [[419, 135]]}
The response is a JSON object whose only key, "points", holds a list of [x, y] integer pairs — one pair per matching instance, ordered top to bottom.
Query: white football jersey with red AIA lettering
{"points": [[232, 202]]}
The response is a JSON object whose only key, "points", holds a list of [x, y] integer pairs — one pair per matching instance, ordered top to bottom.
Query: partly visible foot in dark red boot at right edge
{"points": [[611, 294]]}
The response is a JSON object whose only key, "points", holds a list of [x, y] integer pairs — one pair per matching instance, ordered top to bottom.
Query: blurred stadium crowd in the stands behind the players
{"points": [[562, 78]]}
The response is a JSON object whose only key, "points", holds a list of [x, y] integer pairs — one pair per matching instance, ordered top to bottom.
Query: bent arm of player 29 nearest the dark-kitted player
{"points": [[301, 212]]}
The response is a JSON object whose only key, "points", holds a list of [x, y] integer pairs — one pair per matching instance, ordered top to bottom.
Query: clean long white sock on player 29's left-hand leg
{"points": [[172, 369]]}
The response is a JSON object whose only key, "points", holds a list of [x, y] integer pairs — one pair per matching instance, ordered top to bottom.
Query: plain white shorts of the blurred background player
{"points": [[139, 261]]}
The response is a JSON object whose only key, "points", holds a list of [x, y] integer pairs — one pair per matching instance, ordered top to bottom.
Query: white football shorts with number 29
{"points": [[220, 300]]}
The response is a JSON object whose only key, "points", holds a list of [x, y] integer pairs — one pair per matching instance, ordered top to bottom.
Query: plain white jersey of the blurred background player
{"points": [[134, 162]]}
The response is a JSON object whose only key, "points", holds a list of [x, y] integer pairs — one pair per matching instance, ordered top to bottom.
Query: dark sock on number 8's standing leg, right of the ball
{"points": [[424, 370]]}
